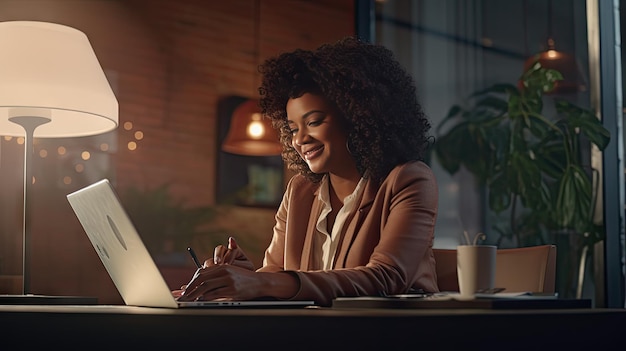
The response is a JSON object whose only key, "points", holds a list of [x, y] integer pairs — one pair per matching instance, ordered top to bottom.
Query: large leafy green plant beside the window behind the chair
{"points": [[532, 163]]}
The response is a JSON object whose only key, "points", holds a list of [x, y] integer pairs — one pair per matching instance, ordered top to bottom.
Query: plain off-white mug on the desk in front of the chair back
{"points": [[476, 268]]}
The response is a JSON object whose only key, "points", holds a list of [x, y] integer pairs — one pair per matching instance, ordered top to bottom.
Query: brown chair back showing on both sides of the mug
{"points": [[521, 269]]}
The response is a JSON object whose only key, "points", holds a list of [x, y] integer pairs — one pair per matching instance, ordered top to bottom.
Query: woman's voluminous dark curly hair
{"points": [[373, 93]]}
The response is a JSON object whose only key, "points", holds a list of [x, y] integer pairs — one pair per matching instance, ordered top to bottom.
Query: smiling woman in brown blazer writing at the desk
{"points": [[358, 217]]}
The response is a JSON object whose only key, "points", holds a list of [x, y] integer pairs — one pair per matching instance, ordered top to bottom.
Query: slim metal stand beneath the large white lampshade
{"points": [[29, 124]]}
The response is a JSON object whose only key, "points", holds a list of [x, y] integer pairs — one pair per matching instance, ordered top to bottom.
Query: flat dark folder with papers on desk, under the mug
{"points": [[454, 300]]}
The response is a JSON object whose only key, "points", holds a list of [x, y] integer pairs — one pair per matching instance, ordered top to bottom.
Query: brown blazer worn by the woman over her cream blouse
{"points": [[386, 243]]}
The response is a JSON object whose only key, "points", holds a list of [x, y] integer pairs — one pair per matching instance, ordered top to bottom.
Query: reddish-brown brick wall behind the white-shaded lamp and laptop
{"points": [[169, 63]]}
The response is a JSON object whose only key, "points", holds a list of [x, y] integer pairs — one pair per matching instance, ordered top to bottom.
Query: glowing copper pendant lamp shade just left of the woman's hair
{"points": [[250, 134]]}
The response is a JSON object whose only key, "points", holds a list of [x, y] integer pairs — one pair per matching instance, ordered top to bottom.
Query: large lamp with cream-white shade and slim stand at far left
{"points": [[51, 86]]}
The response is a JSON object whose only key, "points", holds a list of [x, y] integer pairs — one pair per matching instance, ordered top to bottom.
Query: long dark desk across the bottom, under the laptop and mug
{"points": [[112, 327]]}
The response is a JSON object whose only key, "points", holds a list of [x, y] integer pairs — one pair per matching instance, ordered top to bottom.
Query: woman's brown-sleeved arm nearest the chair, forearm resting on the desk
{"points": [[392, 249]]}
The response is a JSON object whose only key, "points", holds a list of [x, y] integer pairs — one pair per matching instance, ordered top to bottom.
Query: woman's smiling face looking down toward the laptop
{"points": [[318, 135]]}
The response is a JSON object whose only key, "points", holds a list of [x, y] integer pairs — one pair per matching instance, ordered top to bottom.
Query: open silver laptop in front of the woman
{"points": [[126, 258]]}
